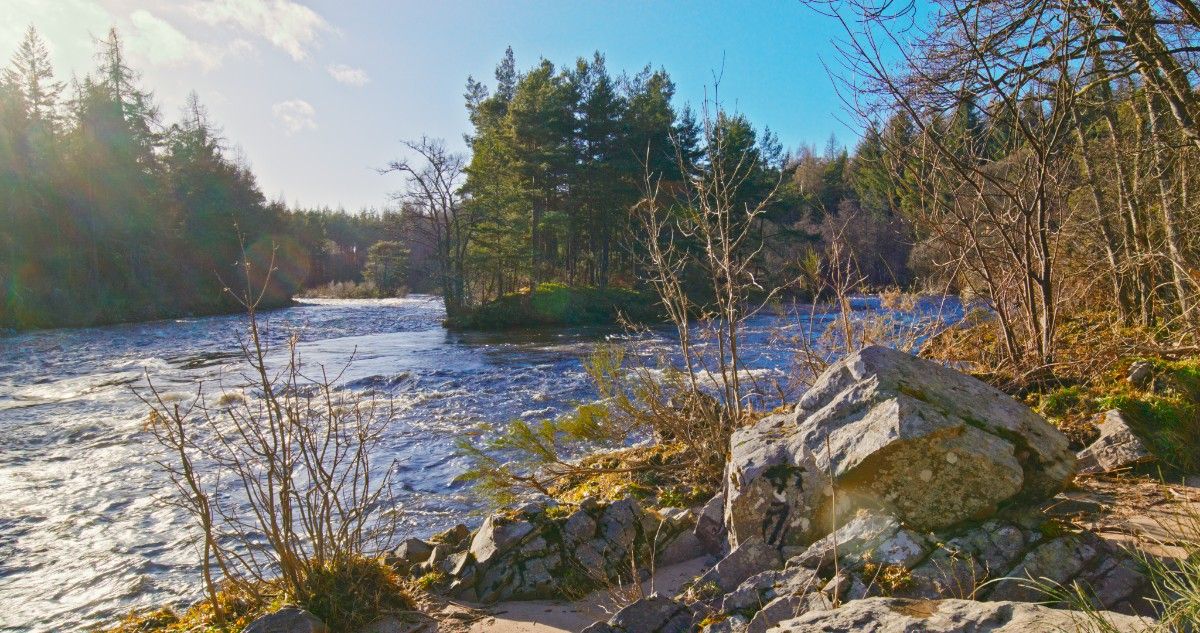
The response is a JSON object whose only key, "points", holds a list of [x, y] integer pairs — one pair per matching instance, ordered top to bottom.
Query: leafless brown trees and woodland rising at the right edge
{"points": [[1045, 154]]}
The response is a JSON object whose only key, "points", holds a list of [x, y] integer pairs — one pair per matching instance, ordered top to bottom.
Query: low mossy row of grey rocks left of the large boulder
{"points": [[549, 551]]}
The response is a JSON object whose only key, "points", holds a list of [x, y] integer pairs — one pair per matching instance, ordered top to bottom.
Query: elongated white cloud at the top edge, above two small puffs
{"points": [[289, 26]]}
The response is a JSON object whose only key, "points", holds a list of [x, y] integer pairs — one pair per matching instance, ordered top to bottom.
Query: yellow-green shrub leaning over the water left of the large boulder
{"points": [[691, 429]]}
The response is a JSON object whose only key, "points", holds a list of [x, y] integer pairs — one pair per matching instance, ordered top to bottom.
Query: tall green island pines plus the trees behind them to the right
{"points": [[559, 161]]}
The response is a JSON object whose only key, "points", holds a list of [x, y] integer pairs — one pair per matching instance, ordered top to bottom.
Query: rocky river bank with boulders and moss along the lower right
{"points": [[910, 526]]}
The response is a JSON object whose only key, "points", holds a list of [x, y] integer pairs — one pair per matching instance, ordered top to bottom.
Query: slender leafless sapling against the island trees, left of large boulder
{"points": [[723, 237]]}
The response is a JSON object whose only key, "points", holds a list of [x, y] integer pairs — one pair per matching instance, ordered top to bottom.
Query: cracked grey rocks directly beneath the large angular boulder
{"points": [[995, 560]]}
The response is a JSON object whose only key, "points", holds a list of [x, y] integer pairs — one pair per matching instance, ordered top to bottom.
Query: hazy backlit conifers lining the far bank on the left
{"points": [[111, 215]]}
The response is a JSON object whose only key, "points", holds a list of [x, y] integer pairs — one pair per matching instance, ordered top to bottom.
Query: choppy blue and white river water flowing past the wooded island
{"points": [[86, 532]]}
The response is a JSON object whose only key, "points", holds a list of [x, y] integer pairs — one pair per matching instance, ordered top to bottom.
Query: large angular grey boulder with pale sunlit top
{"points": [[886, 431]]}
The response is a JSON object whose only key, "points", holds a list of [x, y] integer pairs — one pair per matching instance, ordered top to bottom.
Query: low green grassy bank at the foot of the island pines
{"points": [[555, 305]]}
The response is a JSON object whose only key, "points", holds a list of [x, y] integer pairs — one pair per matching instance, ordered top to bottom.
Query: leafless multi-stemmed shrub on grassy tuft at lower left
{"points": [[279, 478]]}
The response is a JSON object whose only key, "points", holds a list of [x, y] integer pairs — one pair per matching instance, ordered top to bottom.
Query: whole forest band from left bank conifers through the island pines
{"points": [[112, 215]]}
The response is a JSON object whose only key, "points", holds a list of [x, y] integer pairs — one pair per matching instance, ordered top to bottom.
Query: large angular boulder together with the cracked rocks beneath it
{"points": [[897, 478]]}
